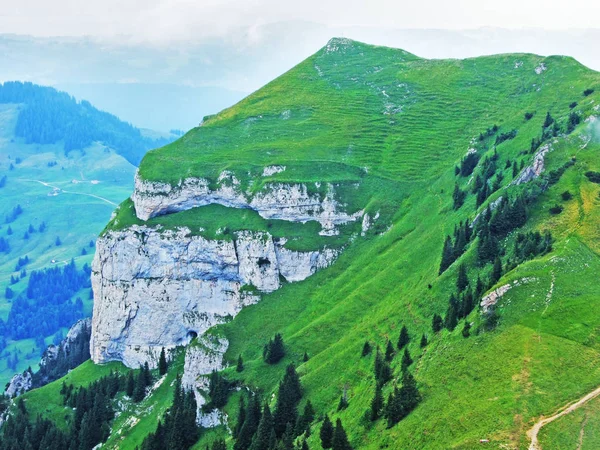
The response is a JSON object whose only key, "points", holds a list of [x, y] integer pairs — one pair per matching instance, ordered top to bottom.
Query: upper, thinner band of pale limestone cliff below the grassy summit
{"points": [[290, 202]]}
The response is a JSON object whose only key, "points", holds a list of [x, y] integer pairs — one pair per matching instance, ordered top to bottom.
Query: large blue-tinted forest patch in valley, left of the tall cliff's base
{"points": [[46, 306]]}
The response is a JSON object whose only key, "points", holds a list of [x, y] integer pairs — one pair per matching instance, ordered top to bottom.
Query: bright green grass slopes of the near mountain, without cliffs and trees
{"points": [[389, 129]]}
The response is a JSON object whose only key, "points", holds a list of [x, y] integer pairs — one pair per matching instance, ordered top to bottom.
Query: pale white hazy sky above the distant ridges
{"points": [[167, 20]]}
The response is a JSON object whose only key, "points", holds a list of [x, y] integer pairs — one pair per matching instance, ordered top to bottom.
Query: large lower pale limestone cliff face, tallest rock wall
{"points": [[155, 289]]}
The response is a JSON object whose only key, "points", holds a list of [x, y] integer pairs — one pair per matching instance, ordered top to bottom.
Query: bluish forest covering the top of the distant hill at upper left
{"points": [[51, 116]]}
